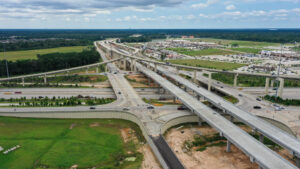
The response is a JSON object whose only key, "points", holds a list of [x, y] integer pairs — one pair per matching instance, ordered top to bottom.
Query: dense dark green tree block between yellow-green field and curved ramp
{"points": [[49, 62]]}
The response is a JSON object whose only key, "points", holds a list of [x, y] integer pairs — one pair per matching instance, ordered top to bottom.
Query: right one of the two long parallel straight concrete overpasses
{"points": [[275, 134]]}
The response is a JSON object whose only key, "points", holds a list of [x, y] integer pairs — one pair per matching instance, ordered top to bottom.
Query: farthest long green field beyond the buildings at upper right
{"points": [[239, 42]]}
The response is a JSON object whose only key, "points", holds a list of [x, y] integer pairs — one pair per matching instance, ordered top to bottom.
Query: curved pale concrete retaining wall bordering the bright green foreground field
{"points": [[101, 115]]}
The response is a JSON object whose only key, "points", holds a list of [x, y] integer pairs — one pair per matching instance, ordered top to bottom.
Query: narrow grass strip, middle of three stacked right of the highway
{"points": [[203, 52]]}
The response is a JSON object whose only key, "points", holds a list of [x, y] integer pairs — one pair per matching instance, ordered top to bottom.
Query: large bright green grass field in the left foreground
{"points": [[60, 144]]}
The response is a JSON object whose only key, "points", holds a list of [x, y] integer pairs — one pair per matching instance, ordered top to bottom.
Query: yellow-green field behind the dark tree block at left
{"points": [[32, 54]]}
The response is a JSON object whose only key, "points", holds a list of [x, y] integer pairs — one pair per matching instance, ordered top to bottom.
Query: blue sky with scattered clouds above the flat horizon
{"points": [[142, 14]]}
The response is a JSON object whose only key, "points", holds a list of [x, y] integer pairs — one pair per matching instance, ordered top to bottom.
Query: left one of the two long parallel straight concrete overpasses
{"points": [[258, 152]]}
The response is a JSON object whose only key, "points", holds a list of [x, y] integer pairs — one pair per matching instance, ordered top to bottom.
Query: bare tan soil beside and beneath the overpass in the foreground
{"points": [[212, 157]]}
